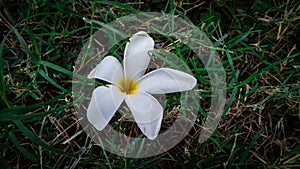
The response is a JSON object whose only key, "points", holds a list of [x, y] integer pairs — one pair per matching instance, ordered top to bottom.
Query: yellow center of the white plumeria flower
{"points": [[128, 86]]}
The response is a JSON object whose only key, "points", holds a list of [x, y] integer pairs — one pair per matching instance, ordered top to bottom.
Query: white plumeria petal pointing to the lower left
{"points": [[104, 103]]}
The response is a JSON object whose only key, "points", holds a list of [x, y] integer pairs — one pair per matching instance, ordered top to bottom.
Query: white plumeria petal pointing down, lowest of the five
{"points": [[147, 113]]}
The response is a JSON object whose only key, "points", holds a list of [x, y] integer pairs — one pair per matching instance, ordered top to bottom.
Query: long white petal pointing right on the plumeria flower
{"points": [[166, 80]]}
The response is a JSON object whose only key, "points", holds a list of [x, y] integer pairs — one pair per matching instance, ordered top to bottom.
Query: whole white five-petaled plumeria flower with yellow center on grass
{"points": [[128, 83]]}
